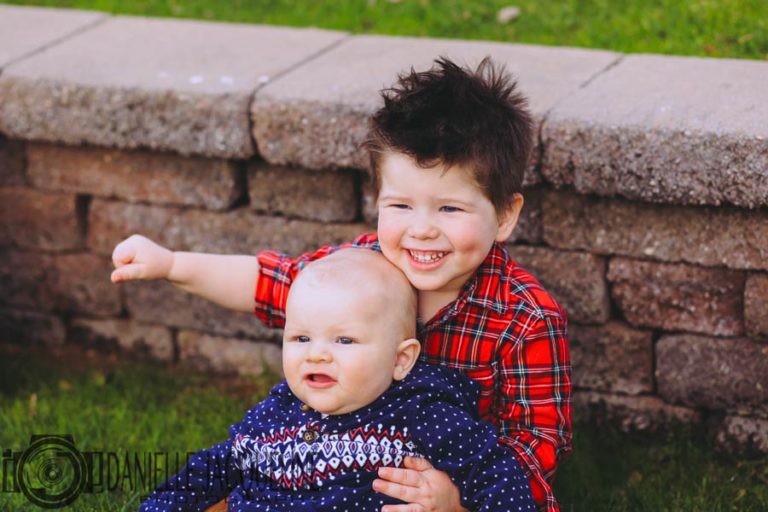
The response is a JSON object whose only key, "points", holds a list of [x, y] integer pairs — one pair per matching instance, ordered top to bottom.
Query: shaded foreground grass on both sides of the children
{"points": [[133, 407]]}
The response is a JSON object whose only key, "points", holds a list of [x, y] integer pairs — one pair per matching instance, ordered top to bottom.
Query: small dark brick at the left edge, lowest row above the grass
{"points": [[30, 328]]}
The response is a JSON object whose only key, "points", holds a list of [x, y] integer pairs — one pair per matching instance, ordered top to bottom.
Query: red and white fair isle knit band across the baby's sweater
{"points": [[287, 460]]}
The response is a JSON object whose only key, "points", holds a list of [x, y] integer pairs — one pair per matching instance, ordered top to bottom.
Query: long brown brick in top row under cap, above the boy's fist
{"points": [[134, 176]]}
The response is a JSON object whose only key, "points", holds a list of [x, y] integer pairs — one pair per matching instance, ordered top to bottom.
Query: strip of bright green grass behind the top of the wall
{"points": [[717, 28]]}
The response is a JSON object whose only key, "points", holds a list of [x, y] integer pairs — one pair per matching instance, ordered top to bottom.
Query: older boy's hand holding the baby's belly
{"points": [[421, 486]]}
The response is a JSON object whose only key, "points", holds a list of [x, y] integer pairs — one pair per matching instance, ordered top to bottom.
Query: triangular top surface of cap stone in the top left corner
{"points": [[23, 30]]}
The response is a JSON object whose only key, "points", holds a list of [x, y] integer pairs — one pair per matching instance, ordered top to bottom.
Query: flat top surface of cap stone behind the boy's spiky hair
{"points": [[356, 70]]}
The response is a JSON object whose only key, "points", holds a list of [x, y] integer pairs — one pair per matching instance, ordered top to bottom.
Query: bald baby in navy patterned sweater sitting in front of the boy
{"points": [[354, 401]]}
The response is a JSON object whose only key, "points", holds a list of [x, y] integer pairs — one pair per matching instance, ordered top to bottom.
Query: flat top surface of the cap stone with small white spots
{"points": [[182, 55]]}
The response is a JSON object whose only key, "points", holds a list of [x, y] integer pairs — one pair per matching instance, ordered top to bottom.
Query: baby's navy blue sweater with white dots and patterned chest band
{"points": [[285, 457]]}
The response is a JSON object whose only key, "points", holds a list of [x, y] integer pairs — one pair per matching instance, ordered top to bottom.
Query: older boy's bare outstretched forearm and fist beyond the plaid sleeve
{"points": [[227, 280]]}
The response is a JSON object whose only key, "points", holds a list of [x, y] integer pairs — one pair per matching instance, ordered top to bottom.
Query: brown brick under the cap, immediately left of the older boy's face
{"points": [[328, 196]]}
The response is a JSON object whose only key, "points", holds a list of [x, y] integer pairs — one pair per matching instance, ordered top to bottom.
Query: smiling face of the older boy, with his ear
{"points": [[435, 224]]}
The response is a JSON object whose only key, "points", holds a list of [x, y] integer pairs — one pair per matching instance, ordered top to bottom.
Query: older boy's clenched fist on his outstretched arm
{"points": [[138, 257]]}
